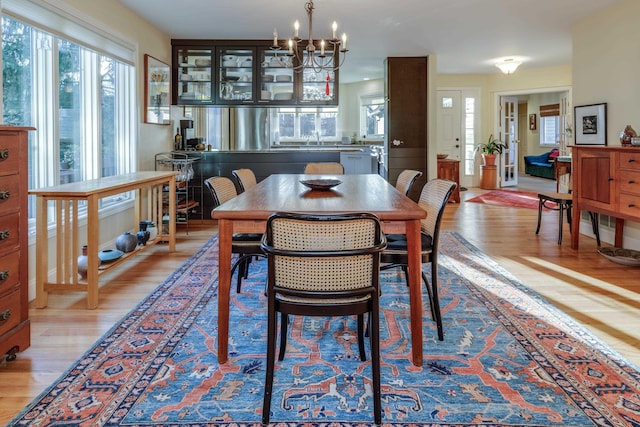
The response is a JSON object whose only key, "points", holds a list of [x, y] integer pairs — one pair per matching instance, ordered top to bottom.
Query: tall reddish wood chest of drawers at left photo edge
{"points": [[15, 330]]}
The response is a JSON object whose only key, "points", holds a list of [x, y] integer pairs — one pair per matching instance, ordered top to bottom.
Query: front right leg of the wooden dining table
{"points": [[415, 289]]}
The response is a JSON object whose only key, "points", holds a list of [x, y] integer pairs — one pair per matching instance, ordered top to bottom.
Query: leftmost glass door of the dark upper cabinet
{"points": [[193, 76]]}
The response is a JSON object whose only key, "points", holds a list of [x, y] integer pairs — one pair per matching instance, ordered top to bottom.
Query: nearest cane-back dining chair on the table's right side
{"points": [[433, 199]]}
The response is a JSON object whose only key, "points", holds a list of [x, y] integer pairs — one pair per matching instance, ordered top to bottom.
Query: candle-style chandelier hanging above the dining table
{"points": [[317, 61]]}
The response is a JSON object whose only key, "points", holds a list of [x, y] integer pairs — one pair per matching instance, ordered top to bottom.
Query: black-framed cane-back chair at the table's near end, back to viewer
{"points": [[323, 265]]}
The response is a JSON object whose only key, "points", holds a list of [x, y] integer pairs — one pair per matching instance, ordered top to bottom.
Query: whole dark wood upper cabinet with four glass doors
{"points": [[245, 72]]}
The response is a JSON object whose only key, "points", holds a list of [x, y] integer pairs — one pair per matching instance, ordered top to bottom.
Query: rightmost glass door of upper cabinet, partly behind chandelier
{"points": [[318, 85]]}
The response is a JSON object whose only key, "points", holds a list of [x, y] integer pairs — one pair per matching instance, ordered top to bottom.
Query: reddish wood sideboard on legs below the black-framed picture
{"points": [[606, 180]]}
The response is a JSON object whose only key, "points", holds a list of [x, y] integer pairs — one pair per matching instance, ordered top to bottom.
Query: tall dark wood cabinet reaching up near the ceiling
{"points": [[406, 117]]}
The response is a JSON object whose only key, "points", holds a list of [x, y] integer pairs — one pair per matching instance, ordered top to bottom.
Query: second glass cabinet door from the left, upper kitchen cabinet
{"points": [[235, 75]]}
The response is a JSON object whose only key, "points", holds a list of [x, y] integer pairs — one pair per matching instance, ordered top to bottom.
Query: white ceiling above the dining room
{"points": [[468, 36]]}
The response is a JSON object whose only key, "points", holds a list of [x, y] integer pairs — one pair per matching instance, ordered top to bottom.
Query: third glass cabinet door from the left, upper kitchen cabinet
{"points": [[276, 78]]}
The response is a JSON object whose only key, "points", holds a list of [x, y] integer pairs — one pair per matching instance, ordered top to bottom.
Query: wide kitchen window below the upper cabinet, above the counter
{"points": [[309, 125]]}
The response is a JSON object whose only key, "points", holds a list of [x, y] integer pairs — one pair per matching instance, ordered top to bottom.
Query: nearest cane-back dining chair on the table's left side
{"points": [[245, 245]]}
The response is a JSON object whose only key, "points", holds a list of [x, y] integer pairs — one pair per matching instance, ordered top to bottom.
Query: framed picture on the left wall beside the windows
{"points": [[156, 91]]}
